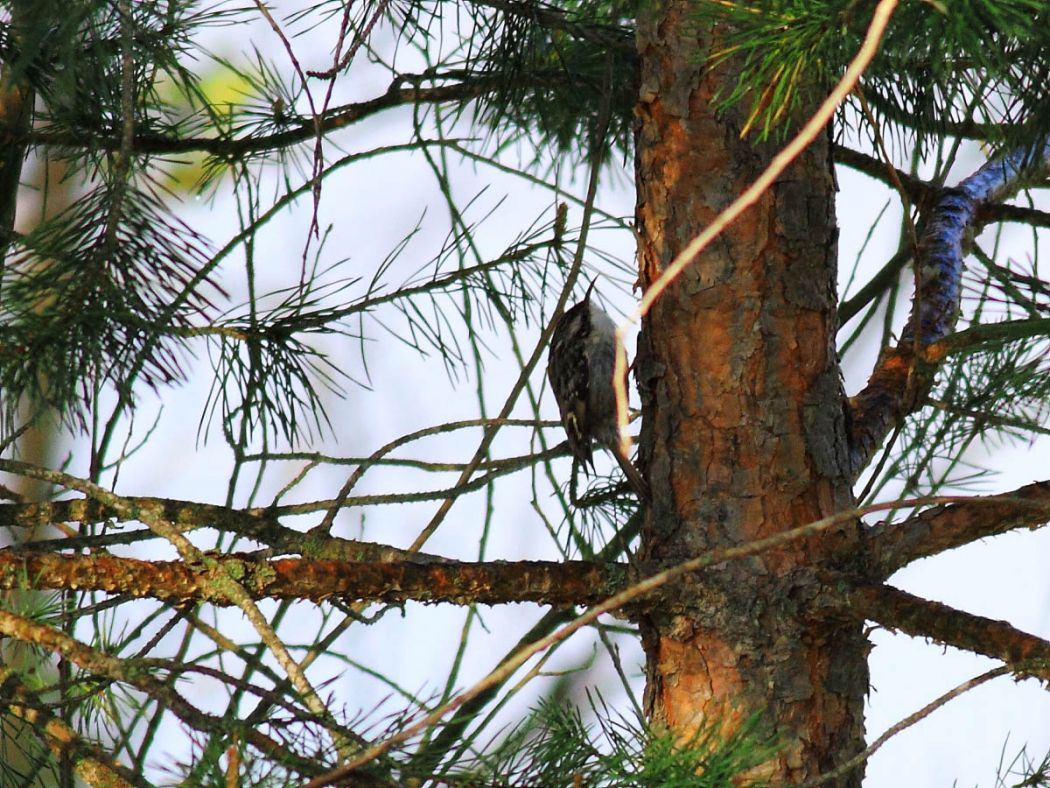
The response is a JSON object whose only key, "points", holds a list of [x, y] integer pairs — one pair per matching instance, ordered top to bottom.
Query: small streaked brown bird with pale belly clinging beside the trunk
{"points": [[580, 367]]}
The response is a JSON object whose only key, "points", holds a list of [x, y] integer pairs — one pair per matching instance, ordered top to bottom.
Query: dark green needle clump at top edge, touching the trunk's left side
{"points": [[559, 78]]}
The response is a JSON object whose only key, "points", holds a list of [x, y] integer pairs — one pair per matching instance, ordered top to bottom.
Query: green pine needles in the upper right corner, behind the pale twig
{"points": [[978, 68]]}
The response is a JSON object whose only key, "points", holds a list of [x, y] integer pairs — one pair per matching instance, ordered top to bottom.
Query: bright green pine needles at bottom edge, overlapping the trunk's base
{"points": [[555, 746]]}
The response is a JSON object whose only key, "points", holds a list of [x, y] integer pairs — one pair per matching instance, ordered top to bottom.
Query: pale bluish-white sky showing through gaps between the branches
{"points": [[370, 209]]}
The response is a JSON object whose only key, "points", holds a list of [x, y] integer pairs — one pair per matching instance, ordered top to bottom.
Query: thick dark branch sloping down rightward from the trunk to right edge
{"points": [[921, 618]]}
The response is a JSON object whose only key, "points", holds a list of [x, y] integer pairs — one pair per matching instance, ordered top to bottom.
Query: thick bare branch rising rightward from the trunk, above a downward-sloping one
{"points": [[931, 532]]}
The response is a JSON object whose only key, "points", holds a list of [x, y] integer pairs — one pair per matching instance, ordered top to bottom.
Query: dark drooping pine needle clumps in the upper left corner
{"points": [[95, 296]]}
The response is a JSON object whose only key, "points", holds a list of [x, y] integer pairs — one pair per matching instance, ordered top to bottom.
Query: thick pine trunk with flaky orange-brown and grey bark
{"points": [[744, 430]]}
